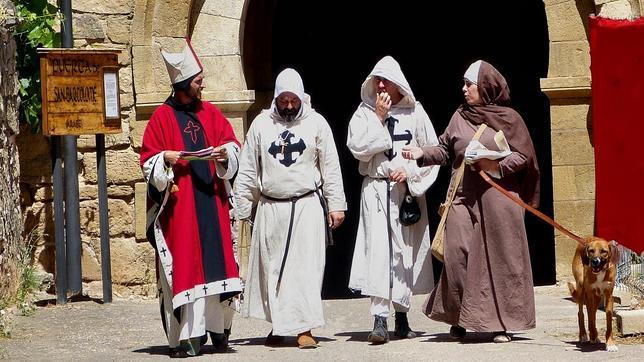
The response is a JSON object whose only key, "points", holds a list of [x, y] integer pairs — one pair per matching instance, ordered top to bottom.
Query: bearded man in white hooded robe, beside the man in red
{"points": [[289, 169]]}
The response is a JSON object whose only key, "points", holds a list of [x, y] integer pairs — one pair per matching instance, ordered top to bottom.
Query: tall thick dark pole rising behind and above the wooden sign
{"points": [[72, 212]]}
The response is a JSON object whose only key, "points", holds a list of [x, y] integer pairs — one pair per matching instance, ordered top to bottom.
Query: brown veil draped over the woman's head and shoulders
{"points": [[497, 114]]}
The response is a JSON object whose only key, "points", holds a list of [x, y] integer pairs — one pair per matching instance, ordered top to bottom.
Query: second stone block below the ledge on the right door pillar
{"points": [[572, 147]]}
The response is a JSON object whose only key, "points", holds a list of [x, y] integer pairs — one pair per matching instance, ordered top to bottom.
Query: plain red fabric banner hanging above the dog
{"points": [[617, 67]]}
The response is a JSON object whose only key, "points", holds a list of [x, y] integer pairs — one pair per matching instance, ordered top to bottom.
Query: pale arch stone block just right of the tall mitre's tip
{"points": [[216, 35]]}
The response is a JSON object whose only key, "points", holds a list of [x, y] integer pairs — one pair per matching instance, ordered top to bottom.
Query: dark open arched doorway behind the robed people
{"points": [[334, 45]]}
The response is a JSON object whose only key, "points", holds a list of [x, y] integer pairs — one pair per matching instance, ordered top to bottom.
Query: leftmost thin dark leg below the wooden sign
{"points": [[59, 223]]}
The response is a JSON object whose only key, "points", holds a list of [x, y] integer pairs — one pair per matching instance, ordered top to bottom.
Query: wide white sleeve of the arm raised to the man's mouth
{"points": [[367, 136]]}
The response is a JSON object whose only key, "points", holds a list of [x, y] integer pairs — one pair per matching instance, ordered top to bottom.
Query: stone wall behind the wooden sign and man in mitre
{"points": [[139, 28]]}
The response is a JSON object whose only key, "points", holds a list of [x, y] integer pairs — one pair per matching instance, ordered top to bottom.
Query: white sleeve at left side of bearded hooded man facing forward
{"points": [[246, 189]]}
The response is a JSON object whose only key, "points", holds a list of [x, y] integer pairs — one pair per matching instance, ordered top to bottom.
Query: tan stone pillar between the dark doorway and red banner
{"points": [[568, 87]]}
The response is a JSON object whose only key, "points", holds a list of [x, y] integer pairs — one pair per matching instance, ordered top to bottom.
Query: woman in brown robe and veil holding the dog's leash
{"points": [[486, 283]]}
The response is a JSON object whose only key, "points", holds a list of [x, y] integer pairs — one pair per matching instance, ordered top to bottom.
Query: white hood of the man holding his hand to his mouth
{"points": [[389, 69]]}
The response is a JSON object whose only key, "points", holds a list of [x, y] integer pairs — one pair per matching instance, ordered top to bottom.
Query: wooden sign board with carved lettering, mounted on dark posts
{"points": [[80, 95]]}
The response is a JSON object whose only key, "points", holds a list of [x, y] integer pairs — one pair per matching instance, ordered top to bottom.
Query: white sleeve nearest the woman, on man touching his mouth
{"points": [[419, 179]]}
